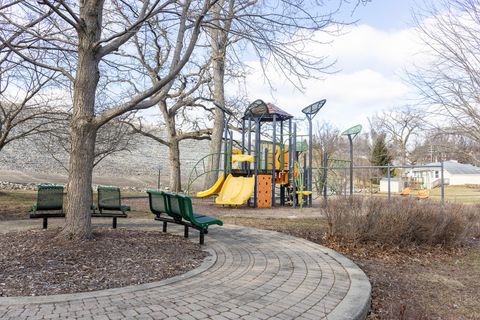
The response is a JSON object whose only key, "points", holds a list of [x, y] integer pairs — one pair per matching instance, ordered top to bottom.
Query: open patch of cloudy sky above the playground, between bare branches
{"points": [[372, 56]]}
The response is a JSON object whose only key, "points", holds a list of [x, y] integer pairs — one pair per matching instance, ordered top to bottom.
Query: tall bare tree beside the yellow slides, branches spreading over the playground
{"points": [[276, 33]]}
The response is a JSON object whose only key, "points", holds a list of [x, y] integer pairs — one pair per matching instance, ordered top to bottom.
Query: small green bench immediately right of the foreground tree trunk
{"points": [[109, 199]]}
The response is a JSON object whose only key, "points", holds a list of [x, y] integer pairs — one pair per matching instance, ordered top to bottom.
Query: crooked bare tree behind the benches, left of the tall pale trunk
{"points": [[182, 102]]}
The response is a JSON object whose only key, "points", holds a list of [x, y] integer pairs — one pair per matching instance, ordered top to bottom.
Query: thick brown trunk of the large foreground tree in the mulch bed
{"points": [[83, 129]]}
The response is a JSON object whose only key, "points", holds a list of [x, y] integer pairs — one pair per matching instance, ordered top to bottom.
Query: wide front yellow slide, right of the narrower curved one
{"points": [[236, 190]]}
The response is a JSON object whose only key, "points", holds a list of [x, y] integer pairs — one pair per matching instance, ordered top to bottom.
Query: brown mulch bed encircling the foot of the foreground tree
{"points": [[35, 262]]}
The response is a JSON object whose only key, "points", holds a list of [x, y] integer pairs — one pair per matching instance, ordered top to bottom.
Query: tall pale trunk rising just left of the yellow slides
{"points": [[218, 66]]}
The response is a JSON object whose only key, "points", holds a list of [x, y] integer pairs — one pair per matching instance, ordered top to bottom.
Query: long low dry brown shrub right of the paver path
{"points": [[401, 221]]}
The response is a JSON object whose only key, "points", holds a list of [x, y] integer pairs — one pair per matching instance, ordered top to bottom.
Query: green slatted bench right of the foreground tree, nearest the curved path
{"points": [[179, 210]]}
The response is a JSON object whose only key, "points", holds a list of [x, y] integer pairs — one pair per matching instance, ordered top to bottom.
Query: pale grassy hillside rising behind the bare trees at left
{"points": [[25, 162]]}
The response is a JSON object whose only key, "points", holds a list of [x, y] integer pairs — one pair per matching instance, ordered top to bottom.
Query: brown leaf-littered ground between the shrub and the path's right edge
{"points": [[420, 282]]}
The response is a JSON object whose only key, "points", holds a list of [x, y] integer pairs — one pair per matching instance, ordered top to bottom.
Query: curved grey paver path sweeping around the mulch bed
{"points": [[250, 274]]}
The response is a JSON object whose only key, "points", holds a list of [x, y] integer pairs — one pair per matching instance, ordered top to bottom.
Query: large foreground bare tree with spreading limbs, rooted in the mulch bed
{"points": [[77, 40]]}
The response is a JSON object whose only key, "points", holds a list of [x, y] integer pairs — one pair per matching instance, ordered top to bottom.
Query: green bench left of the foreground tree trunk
{"points": [[49, 198]]}
